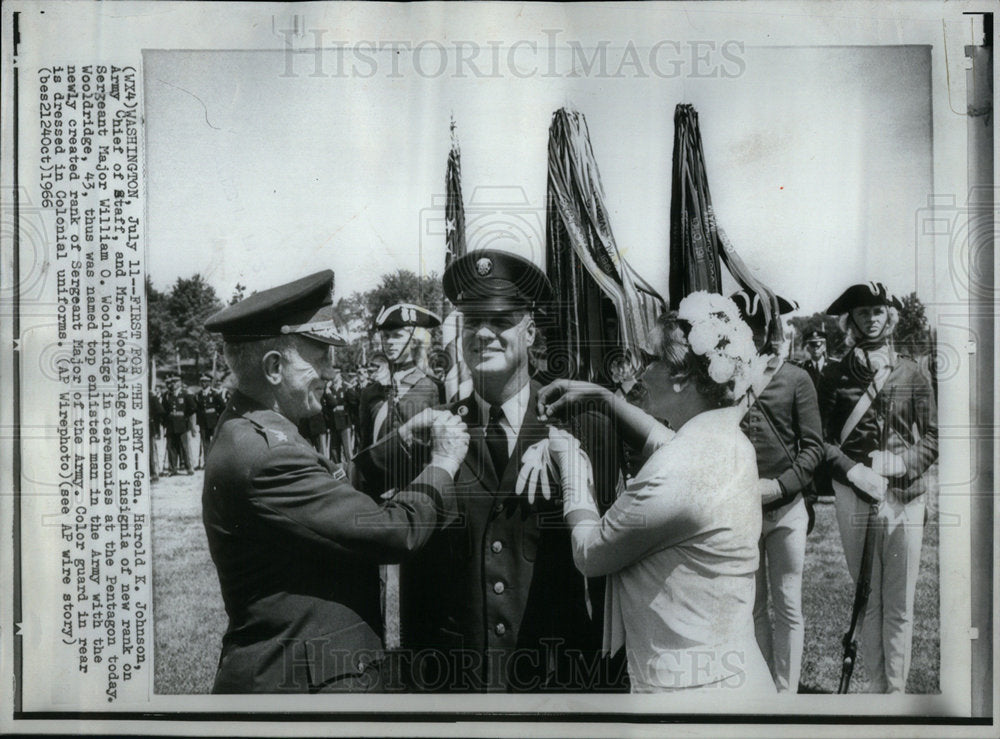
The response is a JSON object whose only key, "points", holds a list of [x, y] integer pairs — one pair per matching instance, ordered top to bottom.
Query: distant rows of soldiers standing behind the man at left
{"points": [[183, 419]]}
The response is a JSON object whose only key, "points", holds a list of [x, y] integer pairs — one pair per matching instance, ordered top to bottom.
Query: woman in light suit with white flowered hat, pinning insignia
{"points": [[680, 544]]}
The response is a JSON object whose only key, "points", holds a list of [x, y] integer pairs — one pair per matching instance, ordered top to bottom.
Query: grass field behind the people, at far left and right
{"points": [[190, 620]]}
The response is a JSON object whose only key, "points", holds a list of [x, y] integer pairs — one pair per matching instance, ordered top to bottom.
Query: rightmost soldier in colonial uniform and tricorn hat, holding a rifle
{"points": [[880, 424]]}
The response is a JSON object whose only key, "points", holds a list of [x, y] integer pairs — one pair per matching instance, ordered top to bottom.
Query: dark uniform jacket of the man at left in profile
{"points": [[297, 551]]}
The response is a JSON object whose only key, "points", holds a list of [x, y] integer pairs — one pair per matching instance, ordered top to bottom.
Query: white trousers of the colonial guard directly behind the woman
{"points": [[782, 555]]}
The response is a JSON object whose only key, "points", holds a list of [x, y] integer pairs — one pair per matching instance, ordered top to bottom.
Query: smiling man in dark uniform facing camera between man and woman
{"points": [[495, 603]]}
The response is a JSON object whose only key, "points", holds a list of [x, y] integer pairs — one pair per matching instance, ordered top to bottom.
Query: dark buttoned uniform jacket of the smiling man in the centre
{"points": [[494, 602]]}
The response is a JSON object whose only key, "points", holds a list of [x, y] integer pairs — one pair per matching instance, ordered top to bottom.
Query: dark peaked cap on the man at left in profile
{"points": [[303, 307]]}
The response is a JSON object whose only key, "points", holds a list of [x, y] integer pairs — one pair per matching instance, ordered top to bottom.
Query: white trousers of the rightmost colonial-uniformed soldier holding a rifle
{"points": [[887, 632]]}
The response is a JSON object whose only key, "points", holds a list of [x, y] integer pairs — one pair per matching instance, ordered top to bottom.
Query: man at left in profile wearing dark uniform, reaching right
{"points": [[296, 547]]}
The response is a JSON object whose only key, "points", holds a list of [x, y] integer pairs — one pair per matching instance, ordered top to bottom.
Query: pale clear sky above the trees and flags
{"points": [[818, 159]]}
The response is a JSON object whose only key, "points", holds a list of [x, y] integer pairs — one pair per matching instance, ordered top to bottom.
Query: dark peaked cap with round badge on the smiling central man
{"points": [[494, 281]]}
